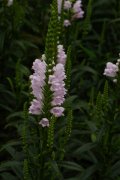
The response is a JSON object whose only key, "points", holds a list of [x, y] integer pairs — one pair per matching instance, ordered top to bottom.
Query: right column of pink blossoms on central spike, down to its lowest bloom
{"points": [[58, 88]]}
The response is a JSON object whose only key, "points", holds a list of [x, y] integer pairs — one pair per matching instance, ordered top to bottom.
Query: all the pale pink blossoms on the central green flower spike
{"points": [[55, 80]]}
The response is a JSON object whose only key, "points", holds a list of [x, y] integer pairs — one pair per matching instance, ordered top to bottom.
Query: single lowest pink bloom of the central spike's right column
{"points": [[57, 111]]}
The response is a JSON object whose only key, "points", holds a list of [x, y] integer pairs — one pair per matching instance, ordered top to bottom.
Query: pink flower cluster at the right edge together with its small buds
{"points": [[111, 70]]}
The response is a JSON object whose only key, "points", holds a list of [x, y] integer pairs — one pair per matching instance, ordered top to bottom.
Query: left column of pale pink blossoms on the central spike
{"points": [[37, 85]]}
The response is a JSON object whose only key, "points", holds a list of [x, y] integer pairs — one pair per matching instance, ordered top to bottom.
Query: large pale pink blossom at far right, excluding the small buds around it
{"points": [[110, 70]]}
